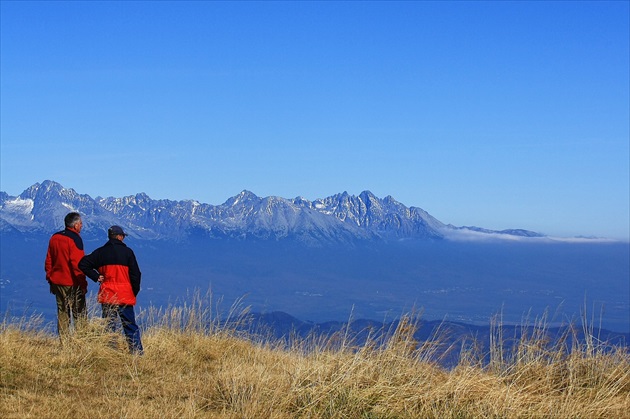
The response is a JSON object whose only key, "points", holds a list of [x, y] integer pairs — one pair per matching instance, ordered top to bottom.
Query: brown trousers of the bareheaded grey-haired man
{"points": [[70, 307]]}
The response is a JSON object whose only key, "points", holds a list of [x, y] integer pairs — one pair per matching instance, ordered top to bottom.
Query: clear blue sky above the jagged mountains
{"points": [[494, 114]]}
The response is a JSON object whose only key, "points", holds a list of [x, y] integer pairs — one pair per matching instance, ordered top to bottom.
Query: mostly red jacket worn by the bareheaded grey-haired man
{"points": [[65, 250]]}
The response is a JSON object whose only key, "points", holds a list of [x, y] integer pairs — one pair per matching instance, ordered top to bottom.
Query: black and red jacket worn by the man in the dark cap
{"points": [[118, 264]]}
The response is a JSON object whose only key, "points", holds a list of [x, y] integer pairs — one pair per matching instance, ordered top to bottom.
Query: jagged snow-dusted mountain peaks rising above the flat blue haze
{"points": [[341, 218]]}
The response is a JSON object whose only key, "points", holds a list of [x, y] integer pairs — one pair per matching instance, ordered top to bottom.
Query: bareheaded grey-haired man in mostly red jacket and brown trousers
{"points": [[67, 281]]}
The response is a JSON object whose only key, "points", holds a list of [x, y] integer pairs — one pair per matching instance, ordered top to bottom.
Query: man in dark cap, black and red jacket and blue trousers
{"points": [[115, 268]]}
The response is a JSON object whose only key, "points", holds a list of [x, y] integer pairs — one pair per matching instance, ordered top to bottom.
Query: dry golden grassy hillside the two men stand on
{"points": [[193, 368]]}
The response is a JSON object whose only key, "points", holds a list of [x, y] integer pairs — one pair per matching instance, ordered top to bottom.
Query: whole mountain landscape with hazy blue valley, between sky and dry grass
{"points": [[322, 260]]}
